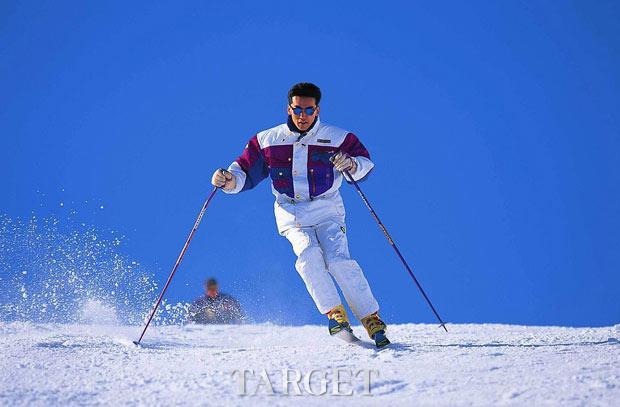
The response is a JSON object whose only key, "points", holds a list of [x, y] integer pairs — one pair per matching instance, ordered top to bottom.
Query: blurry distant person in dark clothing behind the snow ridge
{"points": [[215, 307]]}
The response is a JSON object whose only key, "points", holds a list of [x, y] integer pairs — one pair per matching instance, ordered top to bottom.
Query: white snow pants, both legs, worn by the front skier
{"points": [[322, 253]]}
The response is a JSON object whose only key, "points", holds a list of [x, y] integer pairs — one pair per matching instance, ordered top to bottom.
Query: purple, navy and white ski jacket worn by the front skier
{"points": [[303, 179]]}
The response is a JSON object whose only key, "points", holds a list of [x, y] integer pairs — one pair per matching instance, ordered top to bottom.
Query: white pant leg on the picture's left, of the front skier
{"points": [[310, 265]]}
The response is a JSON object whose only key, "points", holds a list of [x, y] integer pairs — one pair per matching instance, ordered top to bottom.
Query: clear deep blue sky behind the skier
{"points": [[494, 126]]}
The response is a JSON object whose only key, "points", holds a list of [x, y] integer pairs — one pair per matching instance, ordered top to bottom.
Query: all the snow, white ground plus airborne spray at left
{"points": [[84, 299]]}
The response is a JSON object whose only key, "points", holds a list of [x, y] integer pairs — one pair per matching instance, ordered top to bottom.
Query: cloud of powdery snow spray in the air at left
{"points": [[56, 269]]}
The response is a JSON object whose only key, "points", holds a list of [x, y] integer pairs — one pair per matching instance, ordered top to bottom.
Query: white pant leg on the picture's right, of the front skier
{"points": [[347, 272]]}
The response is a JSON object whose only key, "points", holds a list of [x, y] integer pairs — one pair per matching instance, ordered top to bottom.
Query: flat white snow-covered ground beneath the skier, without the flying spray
{"points": [[473, 364]]}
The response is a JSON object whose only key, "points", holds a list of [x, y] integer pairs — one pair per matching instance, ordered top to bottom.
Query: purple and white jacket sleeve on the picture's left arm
{"points": [[250, 168]]}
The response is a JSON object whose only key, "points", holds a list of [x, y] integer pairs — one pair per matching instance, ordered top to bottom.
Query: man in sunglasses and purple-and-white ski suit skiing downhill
{"points": [[305, 160]]}
